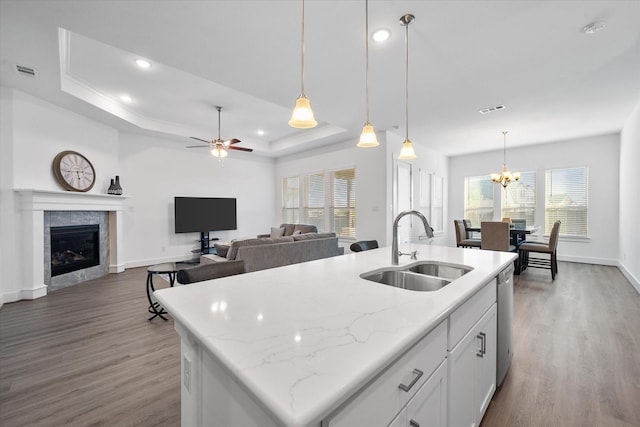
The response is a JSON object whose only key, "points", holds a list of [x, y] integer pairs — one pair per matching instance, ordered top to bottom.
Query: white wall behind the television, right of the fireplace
{"points": [[154, 170]]}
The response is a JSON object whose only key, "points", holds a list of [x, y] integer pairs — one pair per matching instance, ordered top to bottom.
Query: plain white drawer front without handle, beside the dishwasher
{"points": [[468, 313]]}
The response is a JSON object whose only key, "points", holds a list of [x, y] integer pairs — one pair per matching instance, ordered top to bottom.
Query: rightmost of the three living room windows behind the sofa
{"points": [[343, 211]]}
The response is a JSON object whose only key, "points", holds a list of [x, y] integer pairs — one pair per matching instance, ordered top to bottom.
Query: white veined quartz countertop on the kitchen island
{"points": [[303, 338]]}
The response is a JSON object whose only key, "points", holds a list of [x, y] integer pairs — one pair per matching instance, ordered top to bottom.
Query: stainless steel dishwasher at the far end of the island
{"points": [[505, 323]]}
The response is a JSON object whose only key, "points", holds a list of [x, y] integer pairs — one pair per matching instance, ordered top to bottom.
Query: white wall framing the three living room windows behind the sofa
{"points": [[370, 179]]}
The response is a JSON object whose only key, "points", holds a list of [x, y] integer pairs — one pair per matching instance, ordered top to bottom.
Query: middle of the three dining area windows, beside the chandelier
{"points": [[519, 198]]}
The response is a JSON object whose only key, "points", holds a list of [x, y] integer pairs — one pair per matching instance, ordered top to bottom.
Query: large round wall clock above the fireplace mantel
{"points": [[73, 171]]}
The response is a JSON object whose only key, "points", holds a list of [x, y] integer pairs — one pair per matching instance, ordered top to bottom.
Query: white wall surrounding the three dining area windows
{"points": [[599, 153]]}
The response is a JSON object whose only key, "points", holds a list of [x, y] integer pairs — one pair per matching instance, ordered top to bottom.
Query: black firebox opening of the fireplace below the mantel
{"points": [[74, 248]]}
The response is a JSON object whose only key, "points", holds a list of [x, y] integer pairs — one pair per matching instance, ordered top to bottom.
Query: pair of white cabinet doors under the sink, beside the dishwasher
{"points": [[472, 372]]}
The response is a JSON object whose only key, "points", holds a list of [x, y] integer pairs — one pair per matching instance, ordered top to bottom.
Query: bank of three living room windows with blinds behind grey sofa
{"points": [[328, 201]]}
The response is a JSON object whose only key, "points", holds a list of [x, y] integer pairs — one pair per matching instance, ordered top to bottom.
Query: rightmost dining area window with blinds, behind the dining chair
{"points": [[566, 200]]}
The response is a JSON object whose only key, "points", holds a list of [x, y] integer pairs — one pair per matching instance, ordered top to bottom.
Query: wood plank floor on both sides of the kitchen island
{"points": [[87, 355]]}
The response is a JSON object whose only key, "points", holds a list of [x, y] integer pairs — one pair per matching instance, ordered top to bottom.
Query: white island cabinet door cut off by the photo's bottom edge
{"points": [[428, 408]]}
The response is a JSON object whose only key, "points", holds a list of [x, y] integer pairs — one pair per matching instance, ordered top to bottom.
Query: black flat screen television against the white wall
{"points": [[203, 214]]}
